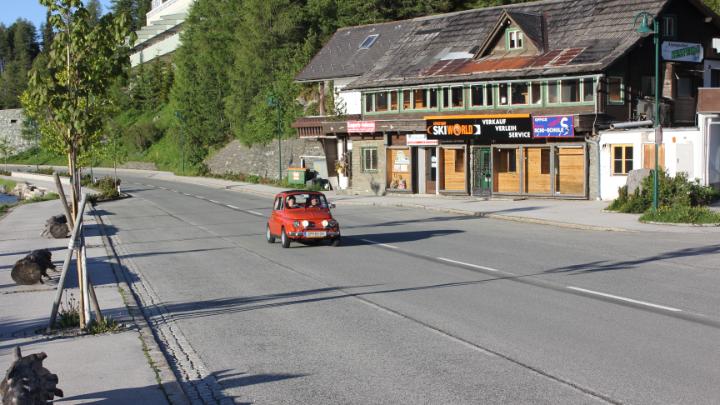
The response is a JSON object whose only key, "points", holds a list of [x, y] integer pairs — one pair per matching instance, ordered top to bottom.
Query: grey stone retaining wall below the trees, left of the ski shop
{"points": [[262, 160]]}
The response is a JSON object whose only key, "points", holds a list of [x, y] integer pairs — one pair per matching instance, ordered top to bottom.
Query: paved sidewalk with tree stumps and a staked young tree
{"points": [[108, 368]]}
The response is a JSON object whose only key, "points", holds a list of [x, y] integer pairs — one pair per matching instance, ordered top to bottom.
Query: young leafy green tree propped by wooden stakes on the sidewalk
{"points": [[70, 101]]}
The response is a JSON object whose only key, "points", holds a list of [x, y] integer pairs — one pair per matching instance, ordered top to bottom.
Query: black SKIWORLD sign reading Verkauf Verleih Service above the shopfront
{"points": [[496, 128]]}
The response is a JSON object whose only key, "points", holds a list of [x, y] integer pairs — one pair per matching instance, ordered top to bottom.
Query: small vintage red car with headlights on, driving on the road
{"points": [[302, 216]]}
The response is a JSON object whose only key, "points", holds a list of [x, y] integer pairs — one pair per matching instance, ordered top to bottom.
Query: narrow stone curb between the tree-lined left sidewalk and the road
{"points": [[166, 379]]}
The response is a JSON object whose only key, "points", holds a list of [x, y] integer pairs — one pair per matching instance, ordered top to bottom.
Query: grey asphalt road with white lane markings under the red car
{"points": [[420, 307]]}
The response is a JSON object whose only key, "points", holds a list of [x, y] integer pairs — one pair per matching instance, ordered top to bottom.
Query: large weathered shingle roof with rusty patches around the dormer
{"points": [[582, 36]]}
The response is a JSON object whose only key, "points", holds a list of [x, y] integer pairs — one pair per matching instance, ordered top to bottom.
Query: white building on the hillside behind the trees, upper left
{"points": [[161, 35]]}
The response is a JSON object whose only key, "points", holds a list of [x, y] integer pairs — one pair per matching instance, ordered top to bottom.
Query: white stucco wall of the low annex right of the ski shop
{"points": [[673, 139]]}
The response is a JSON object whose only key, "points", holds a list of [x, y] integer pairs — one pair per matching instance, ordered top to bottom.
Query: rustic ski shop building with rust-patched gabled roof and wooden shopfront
{"points": [[509, 100]]}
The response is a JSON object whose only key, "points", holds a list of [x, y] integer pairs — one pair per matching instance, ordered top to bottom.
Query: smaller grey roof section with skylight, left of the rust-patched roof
{"points": [[342, 56]]}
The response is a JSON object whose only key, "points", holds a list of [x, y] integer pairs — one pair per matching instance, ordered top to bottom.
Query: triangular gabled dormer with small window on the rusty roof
{"points": [[515, 33]]}
